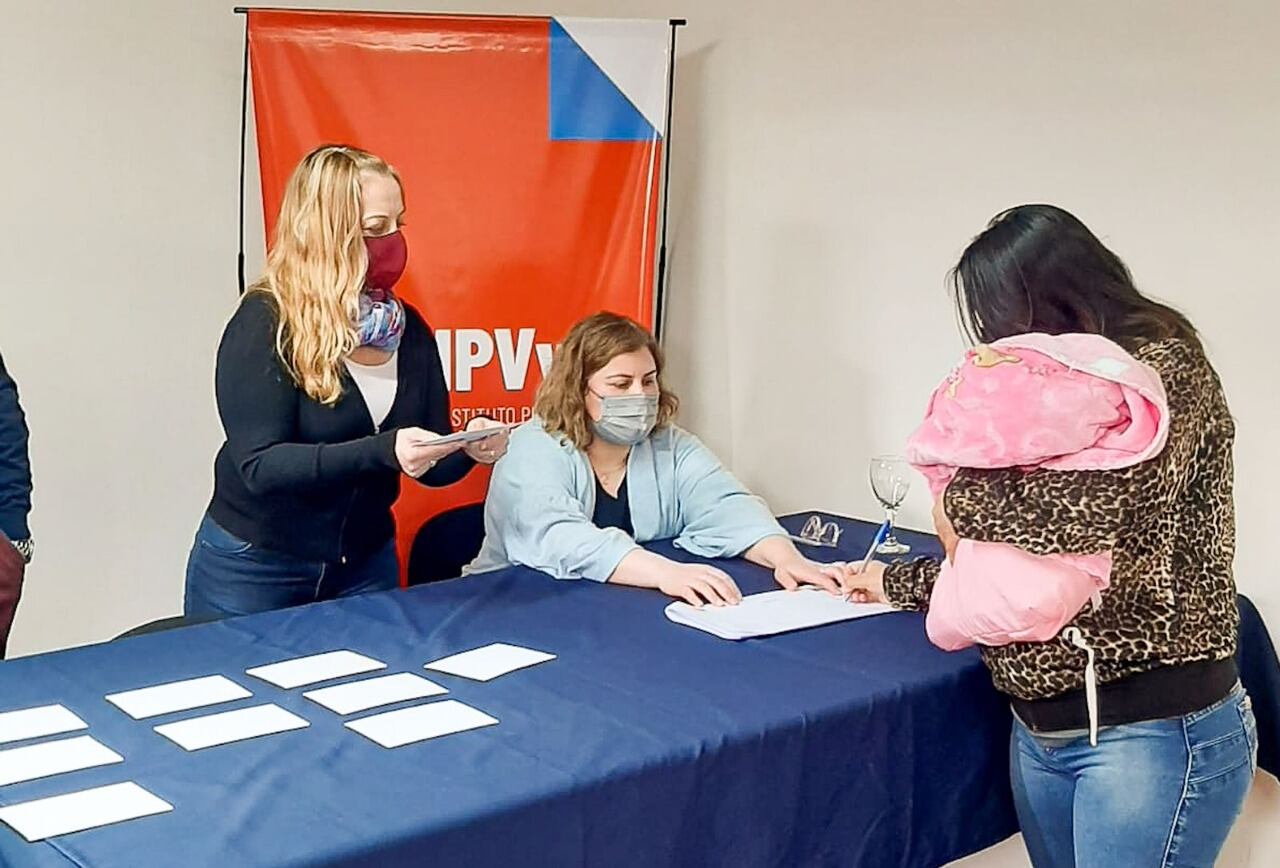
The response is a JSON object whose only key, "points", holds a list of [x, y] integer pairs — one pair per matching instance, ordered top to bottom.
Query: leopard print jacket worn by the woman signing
{"points": [[1169, 523]]}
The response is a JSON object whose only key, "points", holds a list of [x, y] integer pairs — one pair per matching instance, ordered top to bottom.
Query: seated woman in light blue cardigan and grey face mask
{"points": [[602, 469]]}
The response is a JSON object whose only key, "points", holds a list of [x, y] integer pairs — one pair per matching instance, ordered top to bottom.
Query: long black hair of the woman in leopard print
{"points": [[1037, 268]]}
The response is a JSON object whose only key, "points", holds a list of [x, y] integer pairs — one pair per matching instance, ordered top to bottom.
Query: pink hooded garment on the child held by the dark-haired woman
{"points": [[1034, 403]]}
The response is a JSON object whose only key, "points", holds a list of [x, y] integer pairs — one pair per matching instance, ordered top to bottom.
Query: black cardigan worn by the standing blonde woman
{"points": [[312, 481]]}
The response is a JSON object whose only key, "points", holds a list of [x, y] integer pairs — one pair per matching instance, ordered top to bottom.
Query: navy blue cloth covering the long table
{"points": [[644, 744]]}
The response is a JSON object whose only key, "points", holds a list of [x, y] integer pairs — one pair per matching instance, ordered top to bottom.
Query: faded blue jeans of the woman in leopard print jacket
{"points": [[1153, 794]]}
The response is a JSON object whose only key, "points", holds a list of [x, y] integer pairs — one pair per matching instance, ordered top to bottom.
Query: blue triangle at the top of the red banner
{"points": [[583, 103]]}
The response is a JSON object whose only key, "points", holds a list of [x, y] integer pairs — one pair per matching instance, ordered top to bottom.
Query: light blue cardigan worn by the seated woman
{"points": [[543, 496]]}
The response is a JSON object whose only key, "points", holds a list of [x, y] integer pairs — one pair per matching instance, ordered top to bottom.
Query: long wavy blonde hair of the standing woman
{"points": [[317, 266]]}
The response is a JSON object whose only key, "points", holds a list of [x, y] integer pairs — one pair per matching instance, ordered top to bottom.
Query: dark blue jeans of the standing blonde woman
{"points": [[227, 577]]}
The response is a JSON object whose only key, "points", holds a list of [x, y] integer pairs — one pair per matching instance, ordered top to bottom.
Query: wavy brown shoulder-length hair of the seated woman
{"points": [[589, 346]]}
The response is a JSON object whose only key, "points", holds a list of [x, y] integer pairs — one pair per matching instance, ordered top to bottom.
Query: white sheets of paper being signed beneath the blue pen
{"points": [[776, 611]]}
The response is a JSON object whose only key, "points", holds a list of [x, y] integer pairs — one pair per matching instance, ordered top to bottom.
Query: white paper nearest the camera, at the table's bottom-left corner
{"points": [[76, 812]]}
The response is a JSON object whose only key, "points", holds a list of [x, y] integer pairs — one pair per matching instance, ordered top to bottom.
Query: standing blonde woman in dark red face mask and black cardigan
{"points": [[330, 387]]}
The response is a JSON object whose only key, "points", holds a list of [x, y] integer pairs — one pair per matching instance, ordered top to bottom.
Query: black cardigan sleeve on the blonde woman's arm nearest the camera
{"points": [[258, 403]]}
